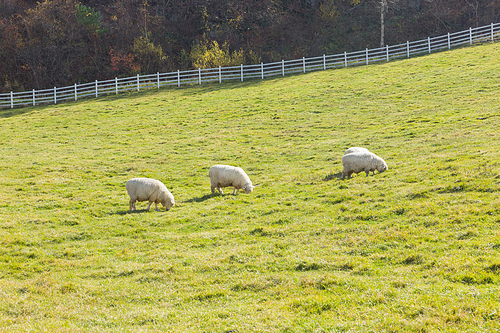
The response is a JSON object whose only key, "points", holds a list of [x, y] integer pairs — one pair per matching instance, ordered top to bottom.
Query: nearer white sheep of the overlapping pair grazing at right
{"points": [[362, 161]]}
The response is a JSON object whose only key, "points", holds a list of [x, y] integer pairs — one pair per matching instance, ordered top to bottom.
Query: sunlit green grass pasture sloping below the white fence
{"points": [[413, 249]]}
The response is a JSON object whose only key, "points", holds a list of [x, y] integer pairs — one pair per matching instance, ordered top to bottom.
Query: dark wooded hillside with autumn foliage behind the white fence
{"points": [[62, 42]]}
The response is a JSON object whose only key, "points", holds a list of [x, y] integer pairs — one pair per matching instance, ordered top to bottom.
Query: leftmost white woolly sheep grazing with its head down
{"points": [[147, 189]]}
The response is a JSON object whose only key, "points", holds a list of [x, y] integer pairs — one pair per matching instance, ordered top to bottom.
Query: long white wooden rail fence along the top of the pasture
{"points": [[242, 72]]}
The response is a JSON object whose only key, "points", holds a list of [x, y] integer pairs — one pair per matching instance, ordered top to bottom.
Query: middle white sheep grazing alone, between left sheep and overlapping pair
{"points": [[227, 175]]}
